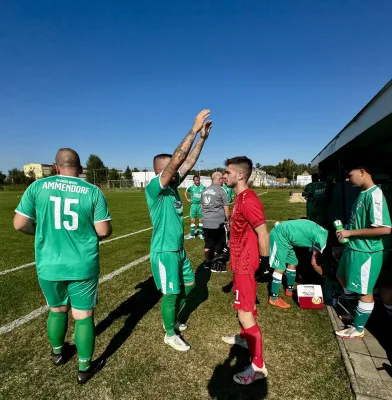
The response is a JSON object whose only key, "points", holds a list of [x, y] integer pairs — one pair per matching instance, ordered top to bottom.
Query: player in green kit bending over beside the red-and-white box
{"points": [[285, 236]]}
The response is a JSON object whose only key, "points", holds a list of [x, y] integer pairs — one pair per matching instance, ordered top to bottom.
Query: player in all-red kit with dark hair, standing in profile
{"points": [[249, 250]]}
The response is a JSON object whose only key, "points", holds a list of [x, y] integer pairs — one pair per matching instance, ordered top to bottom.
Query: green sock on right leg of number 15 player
{"points": [[85, 341]]}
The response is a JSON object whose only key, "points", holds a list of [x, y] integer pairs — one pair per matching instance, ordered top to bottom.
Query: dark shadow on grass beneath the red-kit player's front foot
{"points": [[221, 385]]}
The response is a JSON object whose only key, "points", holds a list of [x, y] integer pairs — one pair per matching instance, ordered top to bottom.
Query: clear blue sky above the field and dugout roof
{"points": [[125, 81]]}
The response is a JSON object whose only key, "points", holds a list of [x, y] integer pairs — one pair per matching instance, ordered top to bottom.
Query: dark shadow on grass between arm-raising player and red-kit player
{"points": [[198, 295]]}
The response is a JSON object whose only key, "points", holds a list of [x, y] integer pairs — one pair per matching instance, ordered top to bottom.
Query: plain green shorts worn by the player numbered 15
{"points": [[81, 295]]}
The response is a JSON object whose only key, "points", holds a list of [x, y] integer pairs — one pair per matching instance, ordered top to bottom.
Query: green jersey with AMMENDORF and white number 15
{"points": [[65, 210]]}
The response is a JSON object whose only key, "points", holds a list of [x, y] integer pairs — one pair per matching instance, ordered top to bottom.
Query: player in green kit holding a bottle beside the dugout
{"points": [[361, 262]]}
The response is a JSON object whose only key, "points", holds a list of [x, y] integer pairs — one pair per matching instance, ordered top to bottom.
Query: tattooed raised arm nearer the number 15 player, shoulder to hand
{"points": [[182, 151]]}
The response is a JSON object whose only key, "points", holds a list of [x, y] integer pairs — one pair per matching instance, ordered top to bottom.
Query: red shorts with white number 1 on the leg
{"points": [[244, 292]]}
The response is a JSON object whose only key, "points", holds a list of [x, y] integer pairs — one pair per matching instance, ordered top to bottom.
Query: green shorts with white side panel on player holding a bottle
{"points": [[361, 270]]}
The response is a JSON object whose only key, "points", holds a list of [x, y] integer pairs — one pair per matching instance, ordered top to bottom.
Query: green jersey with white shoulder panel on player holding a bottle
{"points": [[369, 210]]}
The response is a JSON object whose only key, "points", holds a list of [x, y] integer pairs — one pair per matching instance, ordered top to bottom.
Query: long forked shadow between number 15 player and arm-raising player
{"points": [[135, 307]]}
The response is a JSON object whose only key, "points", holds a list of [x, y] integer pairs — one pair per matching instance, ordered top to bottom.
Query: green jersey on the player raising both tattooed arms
{"points": [[166, 213]]}
